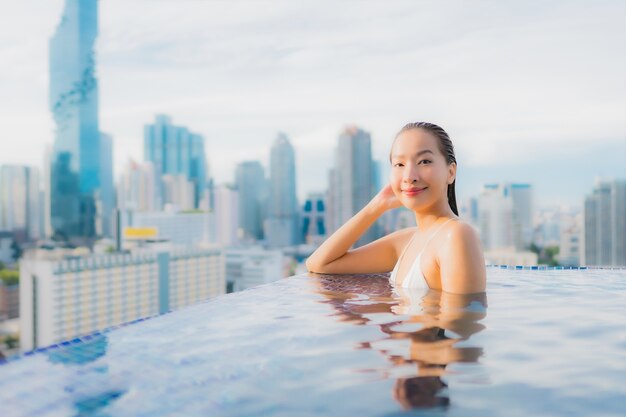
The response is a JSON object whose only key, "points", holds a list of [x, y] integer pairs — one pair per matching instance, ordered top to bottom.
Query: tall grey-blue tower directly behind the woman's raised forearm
{"points": [[351, 181]]}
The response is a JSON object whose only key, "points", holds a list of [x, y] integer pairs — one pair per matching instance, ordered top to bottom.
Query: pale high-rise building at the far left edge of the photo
{"points": [[20, 201]]}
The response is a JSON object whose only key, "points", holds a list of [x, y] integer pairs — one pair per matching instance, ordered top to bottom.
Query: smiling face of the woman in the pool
{"points": [[419, 172]]}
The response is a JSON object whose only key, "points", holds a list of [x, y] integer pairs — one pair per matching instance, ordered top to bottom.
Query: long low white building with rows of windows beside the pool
{"points": [[64, 297]]}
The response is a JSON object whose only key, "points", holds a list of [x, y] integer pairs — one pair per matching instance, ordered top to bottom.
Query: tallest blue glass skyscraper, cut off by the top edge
{"points": [[78, 170]]}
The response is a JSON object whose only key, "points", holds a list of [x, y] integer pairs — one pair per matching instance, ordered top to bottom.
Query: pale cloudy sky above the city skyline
{"points": [[529, 91]]}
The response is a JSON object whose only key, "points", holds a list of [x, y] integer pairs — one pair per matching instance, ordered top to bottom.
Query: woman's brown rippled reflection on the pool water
{"points": [[429, 323]]}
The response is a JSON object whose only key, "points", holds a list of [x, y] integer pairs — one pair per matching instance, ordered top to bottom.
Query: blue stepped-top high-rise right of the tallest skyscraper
{"points": [[174, 150]]}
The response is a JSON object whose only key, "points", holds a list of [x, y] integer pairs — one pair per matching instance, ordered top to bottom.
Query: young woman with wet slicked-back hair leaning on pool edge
{"points": [[442, 252]]}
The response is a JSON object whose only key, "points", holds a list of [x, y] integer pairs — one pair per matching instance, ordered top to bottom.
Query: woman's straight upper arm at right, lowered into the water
{"points": [[461, 261]]}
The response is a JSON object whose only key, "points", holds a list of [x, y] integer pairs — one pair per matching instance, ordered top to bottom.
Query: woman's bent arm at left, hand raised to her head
{"points": [[334, 256]]}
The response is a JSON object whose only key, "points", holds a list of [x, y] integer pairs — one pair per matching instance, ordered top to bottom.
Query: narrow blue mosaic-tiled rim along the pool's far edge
{"points": [[90, 336]]}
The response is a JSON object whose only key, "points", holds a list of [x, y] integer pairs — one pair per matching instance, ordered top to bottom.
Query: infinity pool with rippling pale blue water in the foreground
{"points": [[549, 343]]}
